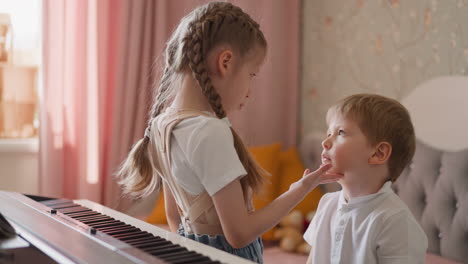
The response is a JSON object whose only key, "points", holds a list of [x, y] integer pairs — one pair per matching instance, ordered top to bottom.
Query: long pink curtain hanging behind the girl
{"points": [[98, 61]]}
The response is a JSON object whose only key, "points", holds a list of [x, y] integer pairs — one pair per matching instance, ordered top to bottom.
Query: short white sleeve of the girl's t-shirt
{"points": [[213, 157]]}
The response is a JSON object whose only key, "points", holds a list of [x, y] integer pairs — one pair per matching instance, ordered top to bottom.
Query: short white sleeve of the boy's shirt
{"points": [[401, 240]]}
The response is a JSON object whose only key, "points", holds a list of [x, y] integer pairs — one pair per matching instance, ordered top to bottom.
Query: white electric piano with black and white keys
{"points": [[82, 231]]}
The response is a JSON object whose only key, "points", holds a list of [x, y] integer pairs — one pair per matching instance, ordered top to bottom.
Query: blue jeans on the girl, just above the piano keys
{"points": [[253, 251]]}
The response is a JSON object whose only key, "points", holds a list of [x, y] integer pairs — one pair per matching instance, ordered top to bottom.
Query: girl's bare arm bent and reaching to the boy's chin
{"points": [[241, 227]]}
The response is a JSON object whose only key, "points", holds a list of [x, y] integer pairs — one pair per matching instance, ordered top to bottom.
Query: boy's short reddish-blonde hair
{"points": [[382, 119]]}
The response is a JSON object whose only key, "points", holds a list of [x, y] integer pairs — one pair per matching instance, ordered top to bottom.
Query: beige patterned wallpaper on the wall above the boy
{"points": [[380, 46]]}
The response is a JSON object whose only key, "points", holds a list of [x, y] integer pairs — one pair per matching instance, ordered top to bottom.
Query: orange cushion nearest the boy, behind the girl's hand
{"points": [[291, 169]]}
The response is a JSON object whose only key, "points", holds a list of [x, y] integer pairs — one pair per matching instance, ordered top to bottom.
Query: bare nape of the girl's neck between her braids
{"points": [[190, 96]]}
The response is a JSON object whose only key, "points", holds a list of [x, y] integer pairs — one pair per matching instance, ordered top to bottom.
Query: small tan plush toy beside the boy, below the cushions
{"points": [[291, 230]]}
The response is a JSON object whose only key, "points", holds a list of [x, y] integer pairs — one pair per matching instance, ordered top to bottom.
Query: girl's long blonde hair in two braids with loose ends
{"points": [[203, 29]]}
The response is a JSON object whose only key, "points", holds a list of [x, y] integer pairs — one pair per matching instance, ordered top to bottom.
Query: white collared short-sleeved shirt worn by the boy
{"points": [[377, 228]]}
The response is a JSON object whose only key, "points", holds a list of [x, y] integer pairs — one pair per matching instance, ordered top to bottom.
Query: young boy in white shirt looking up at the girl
{"points": [[370, 140]]}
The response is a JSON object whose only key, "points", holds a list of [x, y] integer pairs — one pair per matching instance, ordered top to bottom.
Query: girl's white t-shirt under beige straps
{"points": [[203, 155]]}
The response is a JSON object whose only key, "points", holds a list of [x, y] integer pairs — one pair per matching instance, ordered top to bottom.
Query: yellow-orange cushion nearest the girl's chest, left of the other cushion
{"points": [[268, 157]]}
